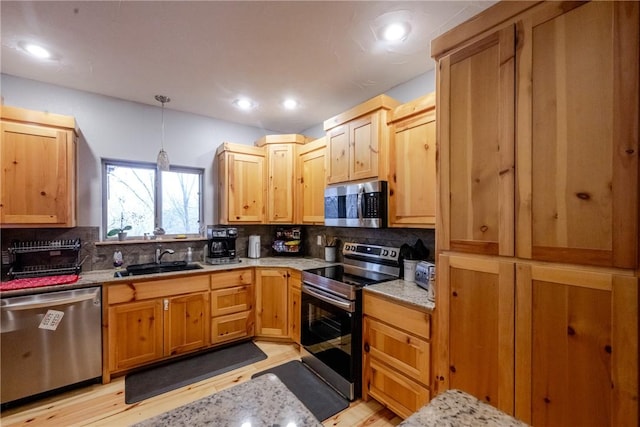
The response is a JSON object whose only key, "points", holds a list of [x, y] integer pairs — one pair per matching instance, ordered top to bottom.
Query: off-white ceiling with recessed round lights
{"points": [[205, 54]]}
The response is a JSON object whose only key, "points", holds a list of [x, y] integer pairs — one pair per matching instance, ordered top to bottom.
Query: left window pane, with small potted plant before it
{"points": [[130, 193]]}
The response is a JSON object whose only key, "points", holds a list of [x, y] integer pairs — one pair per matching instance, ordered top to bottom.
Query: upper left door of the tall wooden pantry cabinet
{"points": [[476, 101]]}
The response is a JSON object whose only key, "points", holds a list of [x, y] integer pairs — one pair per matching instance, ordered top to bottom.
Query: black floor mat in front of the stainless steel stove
{"points": [[317, 396]]}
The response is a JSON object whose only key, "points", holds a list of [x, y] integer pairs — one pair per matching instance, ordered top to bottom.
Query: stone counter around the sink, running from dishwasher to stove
{"points": [[97, 277]]}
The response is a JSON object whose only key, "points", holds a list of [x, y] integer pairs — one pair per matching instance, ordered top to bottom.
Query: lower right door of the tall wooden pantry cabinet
{"points": [[577, 341]]}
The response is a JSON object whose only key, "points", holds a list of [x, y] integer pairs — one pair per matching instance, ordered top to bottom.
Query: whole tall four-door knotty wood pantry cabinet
{"points": [[537, 228]]}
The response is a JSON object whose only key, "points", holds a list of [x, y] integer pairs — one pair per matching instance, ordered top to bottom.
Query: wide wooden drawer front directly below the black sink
{"points": [[137, 291]]}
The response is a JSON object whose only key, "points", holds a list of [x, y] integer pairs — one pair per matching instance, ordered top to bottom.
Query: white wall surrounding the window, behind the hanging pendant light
{"points": [[117, 129]]}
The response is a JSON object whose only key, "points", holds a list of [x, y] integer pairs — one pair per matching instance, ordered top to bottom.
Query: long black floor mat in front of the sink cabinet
{"points": [[154, 381]]}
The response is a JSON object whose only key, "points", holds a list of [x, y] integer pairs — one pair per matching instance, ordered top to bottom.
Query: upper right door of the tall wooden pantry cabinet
{"points": [[578, 135]]}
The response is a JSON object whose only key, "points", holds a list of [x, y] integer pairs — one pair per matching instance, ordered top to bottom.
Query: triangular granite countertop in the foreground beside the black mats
{"points": [[262, 401]]}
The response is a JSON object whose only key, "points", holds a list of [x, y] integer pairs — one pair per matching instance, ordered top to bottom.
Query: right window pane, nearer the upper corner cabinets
{"points": [[180, 202]]}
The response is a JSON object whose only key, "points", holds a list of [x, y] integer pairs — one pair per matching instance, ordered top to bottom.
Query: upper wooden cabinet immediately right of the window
{"points": [[241, 189]]}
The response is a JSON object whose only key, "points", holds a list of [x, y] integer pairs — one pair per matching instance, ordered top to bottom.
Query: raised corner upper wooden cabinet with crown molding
{"points": [[281, 154]]}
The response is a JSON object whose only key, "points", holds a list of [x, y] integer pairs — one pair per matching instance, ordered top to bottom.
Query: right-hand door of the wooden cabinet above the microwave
{"points": [[364, 137]]}
